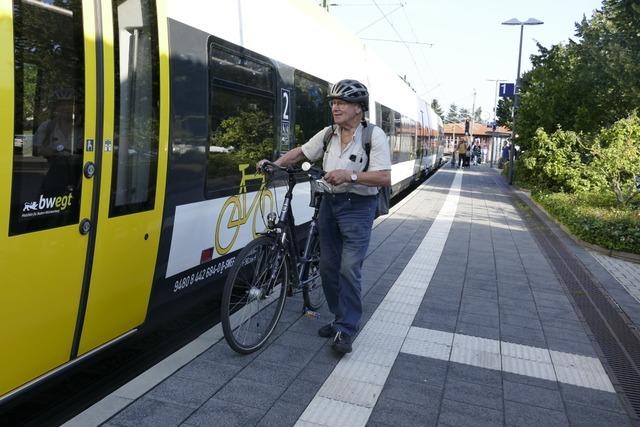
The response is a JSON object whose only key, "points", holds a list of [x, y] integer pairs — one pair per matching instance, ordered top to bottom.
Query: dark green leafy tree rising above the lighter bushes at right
{"points": [[588, 84]]}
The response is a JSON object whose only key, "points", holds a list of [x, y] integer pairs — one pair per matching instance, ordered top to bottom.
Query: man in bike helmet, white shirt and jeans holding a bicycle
{"points": [[347, 211]]}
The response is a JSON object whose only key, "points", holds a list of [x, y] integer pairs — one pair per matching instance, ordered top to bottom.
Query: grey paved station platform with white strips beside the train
{"points": [[466, 323]]}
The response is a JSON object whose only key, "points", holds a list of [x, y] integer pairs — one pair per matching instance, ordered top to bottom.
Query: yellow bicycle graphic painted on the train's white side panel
{"points": [[234, 212]]}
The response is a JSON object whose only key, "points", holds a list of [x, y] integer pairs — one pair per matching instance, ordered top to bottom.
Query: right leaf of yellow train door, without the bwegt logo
{"points": [[132, 165]]}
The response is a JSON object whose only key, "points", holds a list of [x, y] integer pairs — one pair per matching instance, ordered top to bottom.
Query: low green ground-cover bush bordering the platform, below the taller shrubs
{"points": [[595, 218]]}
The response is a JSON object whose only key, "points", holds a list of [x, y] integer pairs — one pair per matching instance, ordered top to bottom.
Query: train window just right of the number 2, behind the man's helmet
{"points": [[312, 106]]}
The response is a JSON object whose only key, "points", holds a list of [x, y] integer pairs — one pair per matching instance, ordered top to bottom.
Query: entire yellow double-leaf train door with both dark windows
{"points": [[81, 192]]}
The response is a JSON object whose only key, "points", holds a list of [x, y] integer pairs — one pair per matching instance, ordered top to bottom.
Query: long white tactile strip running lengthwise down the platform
{"points": [[345, 401]]}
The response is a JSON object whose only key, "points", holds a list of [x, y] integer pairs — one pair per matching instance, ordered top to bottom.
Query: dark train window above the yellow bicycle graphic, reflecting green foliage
{"points": [[241, 115]]}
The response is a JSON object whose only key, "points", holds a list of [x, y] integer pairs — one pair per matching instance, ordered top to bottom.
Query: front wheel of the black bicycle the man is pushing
{"points": [[254, 294]]}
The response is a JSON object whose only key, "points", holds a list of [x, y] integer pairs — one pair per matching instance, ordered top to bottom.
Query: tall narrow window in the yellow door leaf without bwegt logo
{"points": [[135, 145]]}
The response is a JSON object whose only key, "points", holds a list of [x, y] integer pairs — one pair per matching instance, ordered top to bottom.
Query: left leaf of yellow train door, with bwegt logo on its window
{"points": [[47, 135]]}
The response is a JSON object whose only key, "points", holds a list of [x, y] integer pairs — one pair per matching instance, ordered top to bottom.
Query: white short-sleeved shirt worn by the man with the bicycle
{"points": [[352, 157]]}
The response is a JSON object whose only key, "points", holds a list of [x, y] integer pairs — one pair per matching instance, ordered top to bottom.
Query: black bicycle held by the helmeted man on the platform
{"points": [[263, 272]]}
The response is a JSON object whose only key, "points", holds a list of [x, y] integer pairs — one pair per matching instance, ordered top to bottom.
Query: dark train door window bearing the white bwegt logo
{"points": [[48, 121]]}
